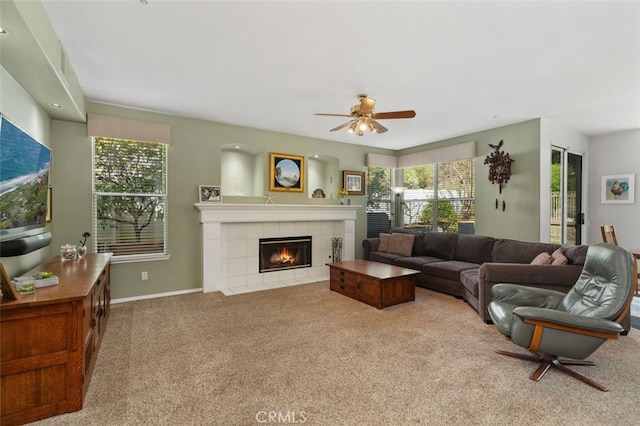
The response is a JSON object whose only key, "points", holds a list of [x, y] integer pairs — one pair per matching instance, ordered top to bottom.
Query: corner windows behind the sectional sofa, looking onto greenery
{"points": [[439, 196]]}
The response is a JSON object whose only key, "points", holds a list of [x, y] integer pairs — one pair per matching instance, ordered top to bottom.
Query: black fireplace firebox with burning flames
{"points": [[276, 254]]}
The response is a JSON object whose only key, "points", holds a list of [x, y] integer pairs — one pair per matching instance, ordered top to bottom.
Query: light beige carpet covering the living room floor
{"points": [[311, 356]]}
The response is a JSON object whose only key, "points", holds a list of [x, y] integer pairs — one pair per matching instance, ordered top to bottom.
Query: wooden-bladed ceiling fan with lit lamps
{"points": [[364, 117]]}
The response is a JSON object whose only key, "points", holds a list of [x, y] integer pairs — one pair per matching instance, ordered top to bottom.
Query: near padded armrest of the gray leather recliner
{"points": [[565, 319]]}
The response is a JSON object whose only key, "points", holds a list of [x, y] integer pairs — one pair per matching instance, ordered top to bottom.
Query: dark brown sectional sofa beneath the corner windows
{"points": [[467, 266]]}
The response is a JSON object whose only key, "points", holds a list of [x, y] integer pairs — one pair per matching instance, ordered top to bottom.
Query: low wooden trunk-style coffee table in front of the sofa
{"points": [[374, 283]]}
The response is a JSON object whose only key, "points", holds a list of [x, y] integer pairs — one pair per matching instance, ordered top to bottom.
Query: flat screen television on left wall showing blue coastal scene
{"points": [[24, 181]]}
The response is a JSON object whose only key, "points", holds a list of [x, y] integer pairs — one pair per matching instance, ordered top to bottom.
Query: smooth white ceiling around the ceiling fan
{"points": [[463, 66]]}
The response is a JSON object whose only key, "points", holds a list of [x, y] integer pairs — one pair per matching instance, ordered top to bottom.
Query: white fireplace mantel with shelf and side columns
{"points": [[214, 216]]}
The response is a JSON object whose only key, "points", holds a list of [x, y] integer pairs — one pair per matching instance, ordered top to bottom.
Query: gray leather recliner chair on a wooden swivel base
{"points": [[573, 325]]}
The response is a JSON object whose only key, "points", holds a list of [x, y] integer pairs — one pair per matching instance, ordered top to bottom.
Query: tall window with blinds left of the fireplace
{"points": [[130, 198]]}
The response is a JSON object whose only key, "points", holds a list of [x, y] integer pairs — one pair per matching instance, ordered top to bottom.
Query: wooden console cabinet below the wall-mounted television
{"points": [[49, 340]]}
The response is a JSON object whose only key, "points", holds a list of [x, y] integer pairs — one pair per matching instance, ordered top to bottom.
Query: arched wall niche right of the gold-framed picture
{"points": [[323, 175]]}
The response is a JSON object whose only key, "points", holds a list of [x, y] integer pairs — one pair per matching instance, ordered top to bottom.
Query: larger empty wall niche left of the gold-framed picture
{"points": [[242, 171]]}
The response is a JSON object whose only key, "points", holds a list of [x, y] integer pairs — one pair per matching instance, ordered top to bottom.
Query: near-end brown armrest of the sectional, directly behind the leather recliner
{"points": [[552, 277]]}
